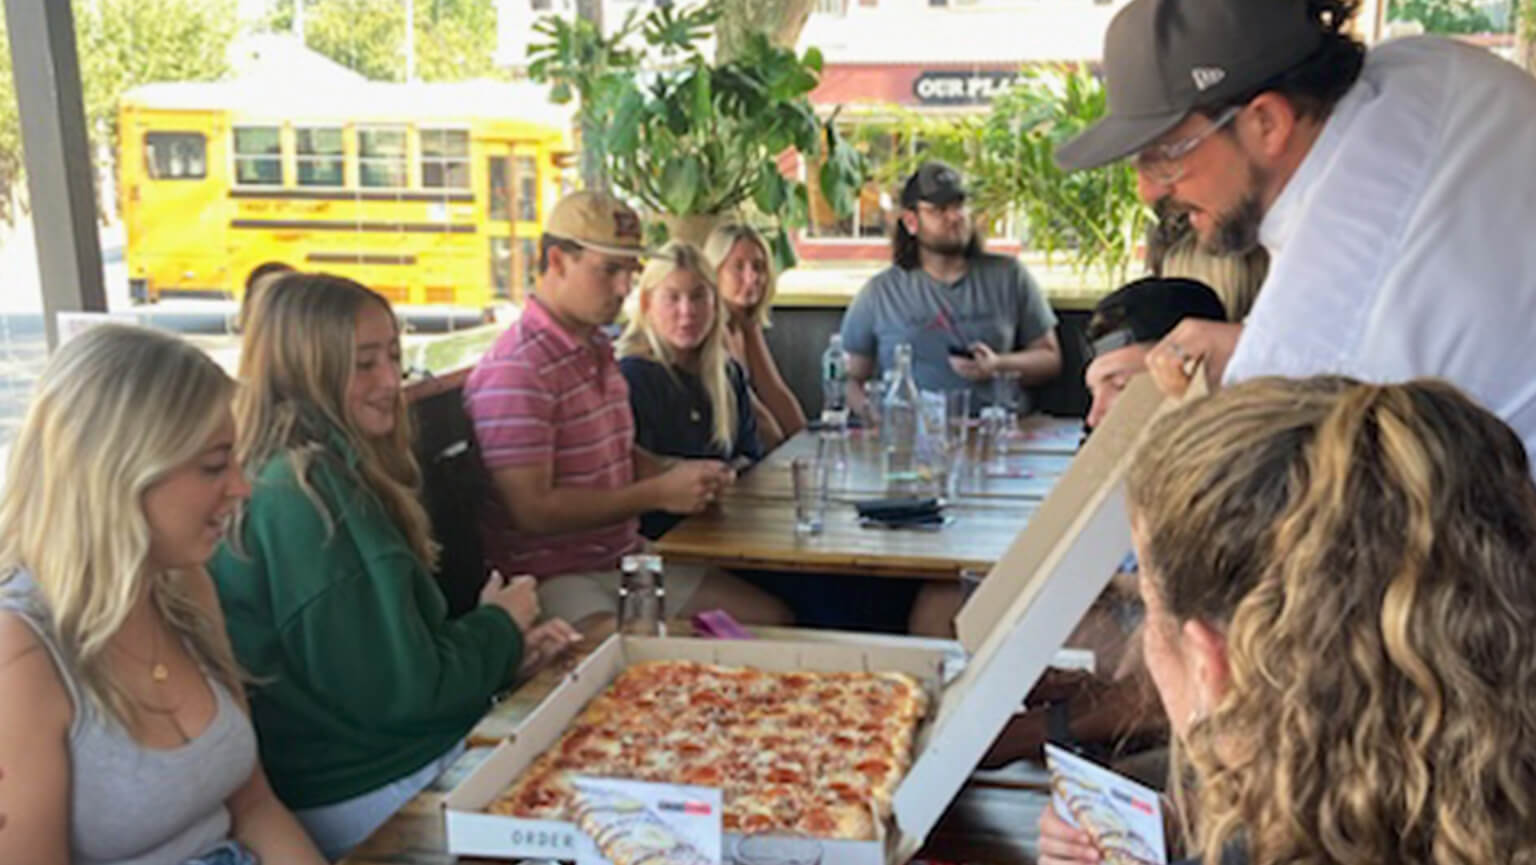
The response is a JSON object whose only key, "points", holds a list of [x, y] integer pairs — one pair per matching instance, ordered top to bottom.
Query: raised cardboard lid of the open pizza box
{"points": [[1027, 608]]}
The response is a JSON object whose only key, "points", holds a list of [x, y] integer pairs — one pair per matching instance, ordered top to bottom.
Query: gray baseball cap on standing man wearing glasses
{"points": [[1168, 58]]}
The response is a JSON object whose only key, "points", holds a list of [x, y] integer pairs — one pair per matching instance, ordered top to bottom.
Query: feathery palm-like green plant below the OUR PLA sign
{"points": [[1008, 159]]}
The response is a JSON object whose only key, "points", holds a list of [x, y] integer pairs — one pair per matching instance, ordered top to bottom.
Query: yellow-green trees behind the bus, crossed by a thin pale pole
{"points": [[455, 39]]}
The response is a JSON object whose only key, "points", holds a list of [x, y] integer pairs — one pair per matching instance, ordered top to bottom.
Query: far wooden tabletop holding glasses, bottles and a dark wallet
{"points": [[753, 526]]}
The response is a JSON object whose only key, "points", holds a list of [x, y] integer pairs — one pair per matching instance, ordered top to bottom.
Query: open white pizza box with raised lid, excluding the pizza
{"points": [[1010, 631]]}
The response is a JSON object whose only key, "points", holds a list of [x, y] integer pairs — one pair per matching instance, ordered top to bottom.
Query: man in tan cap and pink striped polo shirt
{"points": [[552, 417]]}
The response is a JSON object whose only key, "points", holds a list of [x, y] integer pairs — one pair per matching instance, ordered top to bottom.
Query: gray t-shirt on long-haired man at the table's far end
{"points": [[998, 303]]}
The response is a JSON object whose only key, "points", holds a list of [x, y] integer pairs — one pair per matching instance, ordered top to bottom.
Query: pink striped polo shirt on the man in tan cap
{"points": [[545, 397]]}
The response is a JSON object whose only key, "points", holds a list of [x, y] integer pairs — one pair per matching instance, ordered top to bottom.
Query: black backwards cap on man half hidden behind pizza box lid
{"points": [[1148, 310]]}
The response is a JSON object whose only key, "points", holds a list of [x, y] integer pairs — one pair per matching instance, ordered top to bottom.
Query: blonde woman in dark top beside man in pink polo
{"points": [[689, 396]]}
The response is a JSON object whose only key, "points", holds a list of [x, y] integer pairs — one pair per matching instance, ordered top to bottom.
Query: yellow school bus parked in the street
{"points": [[429, 194]]}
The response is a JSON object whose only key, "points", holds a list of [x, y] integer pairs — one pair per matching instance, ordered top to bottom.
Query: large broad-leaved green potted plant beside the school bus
{"points": [[695, 141]]}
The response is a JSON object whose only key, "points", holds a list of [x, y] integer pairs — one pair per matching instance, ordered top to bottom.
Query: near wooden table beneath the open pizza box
{"points": [[993, 821]]}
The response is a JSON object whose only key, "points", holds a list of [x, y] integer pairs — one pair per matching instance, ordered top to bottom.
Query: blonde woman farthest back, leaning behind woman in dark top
{"points": [[747, 280]]}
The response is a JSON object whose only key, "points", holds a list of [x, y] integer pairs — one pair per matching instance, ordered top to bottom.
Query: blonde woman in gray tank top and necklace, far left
{"points": [[124, 734]]}
